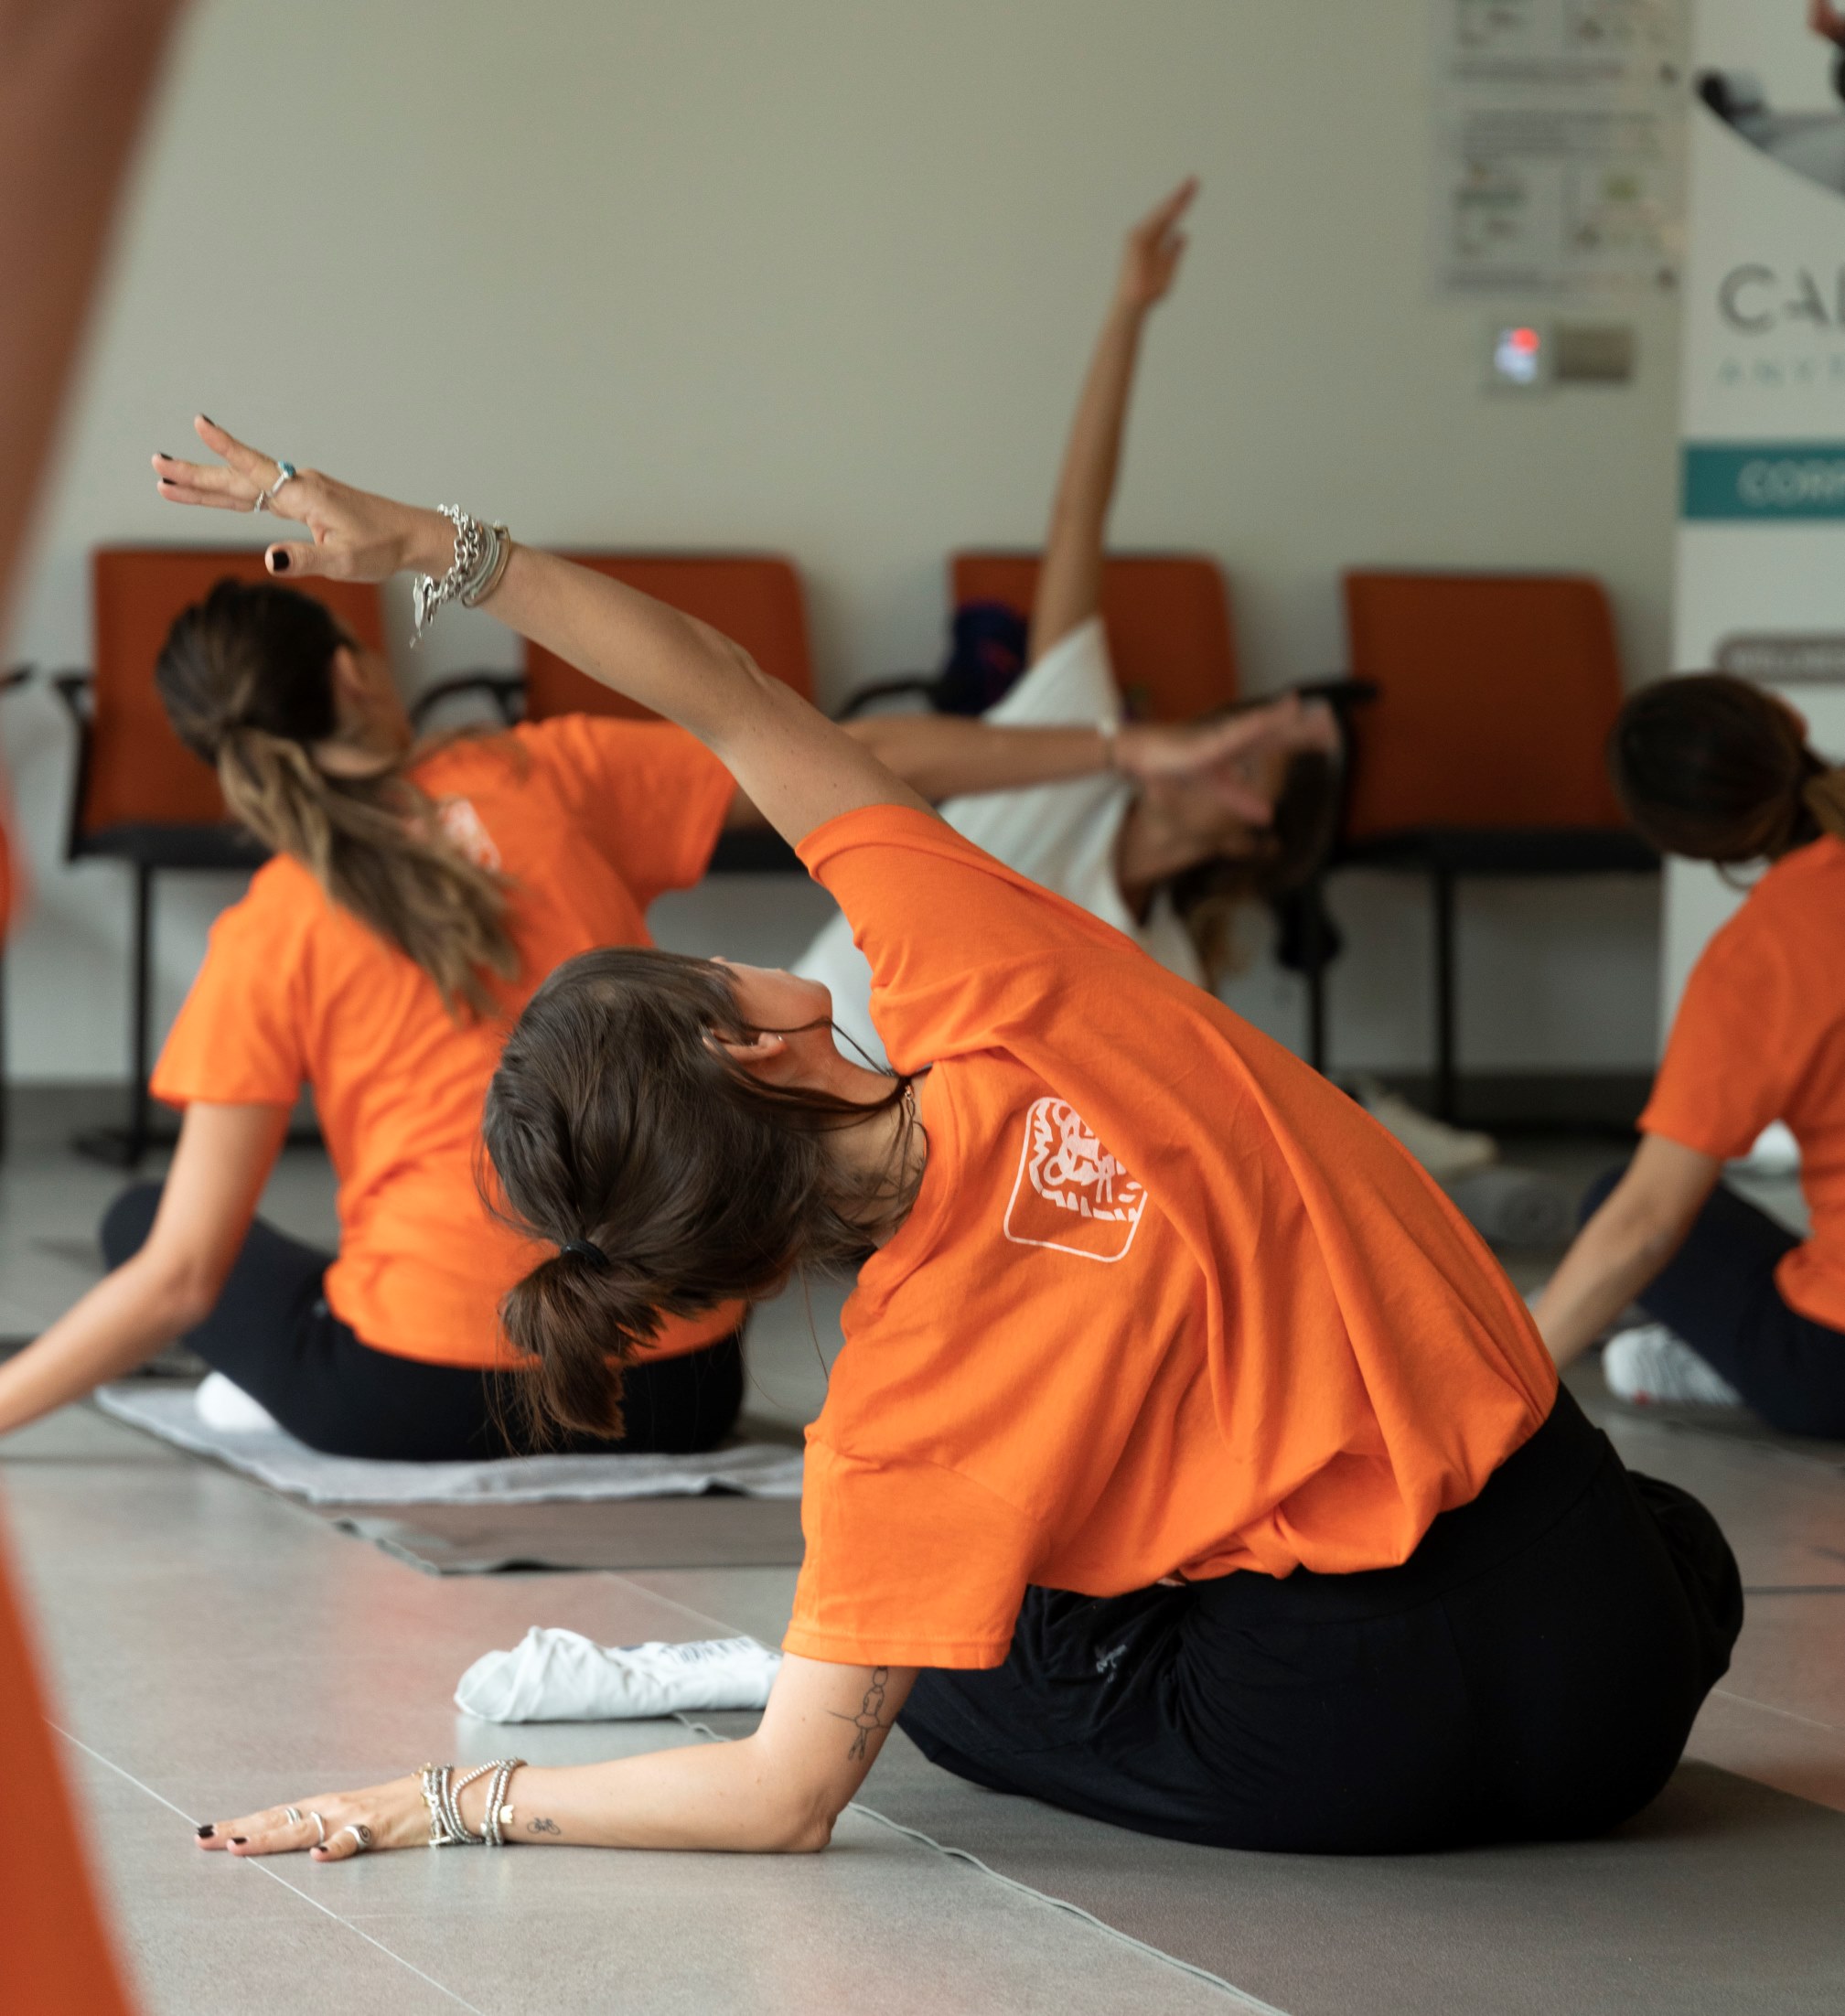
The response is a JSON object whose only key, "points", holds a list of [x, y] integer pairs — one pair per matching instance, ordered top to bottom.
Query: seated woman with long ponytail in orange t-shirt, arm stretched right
{"points": [[416, 896]]}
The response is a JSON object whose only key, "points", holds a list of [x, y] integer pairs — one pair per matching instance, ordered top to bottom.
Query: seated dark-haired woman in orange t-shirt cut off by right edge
{"points": [[1715, 769]]}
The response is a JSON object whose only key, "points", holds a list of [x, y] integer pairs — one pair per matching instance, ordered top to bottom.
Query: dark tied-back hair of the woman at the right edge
{"points": [[1715, 769]]}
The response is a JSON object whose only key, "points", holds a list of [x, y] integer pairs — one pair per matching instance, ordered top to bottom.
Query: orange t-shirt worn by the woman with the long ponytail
{"points": [[590, 820]]}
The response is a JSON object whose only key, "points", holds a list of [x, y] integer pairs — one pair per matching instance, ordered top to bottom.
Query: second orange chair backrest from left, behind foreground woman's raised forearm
{"points": [[753, 598]]}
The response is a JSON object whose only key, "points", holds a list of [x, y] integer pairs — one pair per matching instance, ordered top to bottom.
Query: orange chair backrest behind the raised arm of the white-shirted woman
{"points": [[1168, 620]]}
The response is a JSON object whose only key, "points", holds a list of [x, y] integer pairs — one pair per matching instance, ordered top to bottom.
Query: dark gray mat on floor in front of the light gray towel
{"points": [[634, 1533]]}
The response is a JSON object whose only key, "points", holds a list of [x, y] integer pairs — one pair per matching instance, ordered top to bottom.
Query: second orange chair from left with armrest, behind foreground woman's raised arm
{"points": [[753, 598]]}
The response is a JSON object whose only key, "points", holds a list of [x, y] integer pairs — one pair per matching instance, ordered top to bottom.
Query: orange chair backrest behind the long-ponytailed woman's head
{"points": [[140, 773]]}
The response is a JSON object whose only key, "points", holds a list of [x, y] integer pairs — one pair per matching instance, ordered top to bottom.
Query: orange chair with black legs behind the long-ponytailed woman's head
{"points": [[142, 795]]}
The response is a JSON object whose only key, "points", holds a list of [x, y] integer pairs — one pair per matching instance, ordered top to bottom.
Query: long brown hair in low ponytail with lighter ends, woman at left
{"points": [[247, 680]]}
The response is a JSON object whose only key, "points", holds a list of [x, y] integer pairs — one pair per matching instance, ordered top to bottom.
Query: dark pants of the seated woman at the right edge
{"points": [[1719, 1293]]}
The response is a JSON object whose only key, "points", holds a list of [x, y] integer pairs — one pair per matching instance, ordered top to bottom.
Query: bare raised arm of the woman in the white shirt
{"points": [[1070, 582]]}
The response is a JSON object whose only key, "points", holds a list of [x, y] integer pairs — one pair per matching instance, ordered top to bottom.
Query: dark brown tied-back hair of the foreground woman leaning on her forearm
{"points": [[668, 1176]]}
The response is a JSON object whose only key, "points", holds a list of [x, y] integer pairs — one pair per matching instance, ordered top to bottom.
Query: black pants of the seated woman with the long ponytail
{"points": [[275, 1338]]}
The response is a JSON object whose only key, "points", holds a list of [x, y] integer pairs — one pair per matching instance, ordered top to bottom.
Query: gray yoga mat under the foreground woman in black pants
{"points": [[1721, 1900]]}
